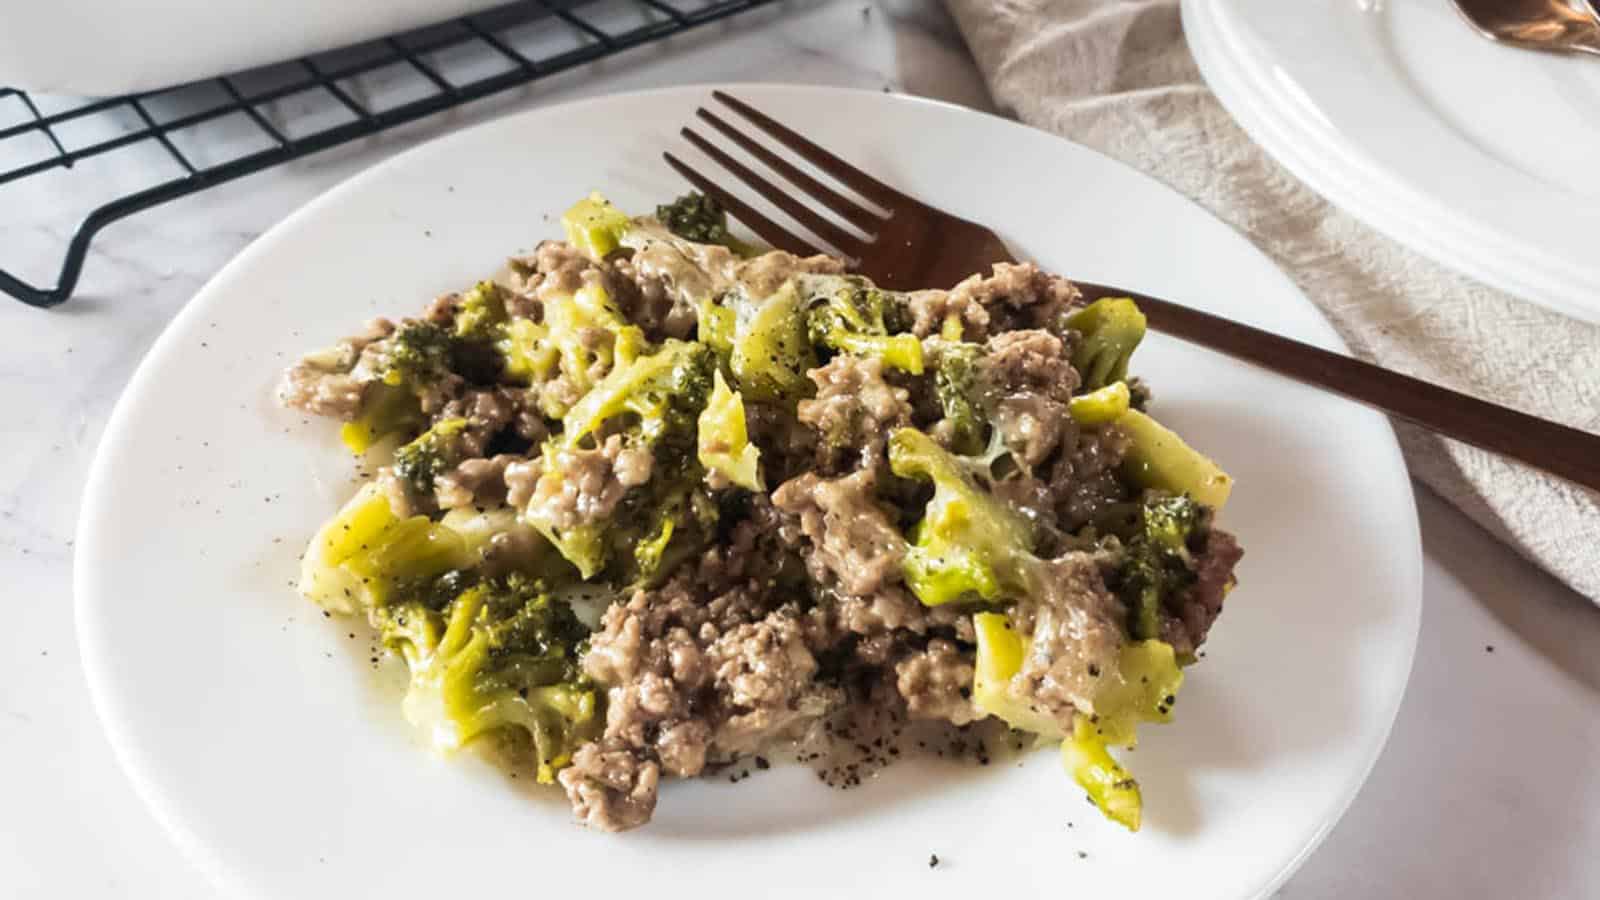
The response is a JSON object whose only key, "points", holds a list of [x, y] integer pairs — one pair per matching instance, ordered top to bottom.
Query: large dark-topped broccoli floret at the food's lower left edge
{"points": [[498, 659]]}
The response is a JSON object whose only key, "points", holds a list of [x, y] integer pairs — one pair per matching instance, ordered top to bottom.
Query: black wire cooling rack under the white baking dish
{"points": [[446, 66]]}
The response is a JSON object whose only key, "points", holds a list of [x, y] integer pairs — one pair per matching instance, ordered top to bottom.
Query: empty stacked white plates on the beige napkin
{"points": [[1476, 155]]}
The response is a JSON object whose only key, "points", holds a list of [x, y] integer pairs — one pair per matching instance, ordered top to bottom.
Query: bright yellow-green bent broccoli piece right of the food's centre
{"points": [[967, 545]]}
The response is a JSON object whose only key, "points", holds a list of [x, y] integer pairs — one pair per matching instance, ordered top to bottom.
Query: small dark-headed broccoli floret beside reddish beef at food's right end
{"points": [[1158, 560]]}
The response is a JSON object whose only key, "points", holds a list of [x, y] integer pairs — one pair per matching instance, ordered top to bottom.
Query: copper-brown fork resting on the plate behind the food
{"points": [[913, 246]]}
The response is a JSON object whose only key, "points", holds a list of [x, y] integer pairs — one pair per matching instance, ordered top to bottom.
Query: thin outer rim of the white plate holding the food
{"points": [[90, 633]]}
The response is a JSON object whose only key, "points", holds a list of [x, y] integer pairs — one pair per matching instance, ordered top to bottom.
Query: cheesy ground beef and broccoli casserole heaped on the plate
{"points": [[654, 502]]}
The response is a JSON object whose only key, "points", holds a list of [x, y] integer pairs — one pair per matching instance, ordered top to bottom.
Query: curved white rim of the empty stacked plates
{"points": [[1343, 174]]}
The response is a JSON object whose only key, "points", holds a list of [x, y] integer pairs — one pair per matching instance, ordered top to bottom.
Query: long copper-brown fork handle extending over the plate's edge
{"points": [[1561, 451]]}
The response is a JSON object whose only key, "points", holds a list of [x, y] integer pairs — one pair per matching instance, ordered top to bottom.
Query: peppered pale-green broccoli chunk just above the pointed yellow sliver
{"points": [[770, 353]]}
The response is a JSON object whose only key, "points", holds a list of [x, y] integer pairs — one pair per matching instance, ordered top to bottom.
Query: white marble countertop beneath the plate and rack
{"points": [[1486, 790]]}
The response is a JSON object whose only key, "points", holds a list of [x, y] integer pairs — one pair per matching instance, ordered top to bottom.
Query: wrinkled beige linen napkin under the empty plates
{"points": [[1118, 76]]}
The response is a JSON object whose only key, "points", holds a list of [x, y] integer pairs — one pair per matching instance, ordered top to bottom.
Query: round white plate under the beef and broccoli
{"points": [[263, 737]]}
